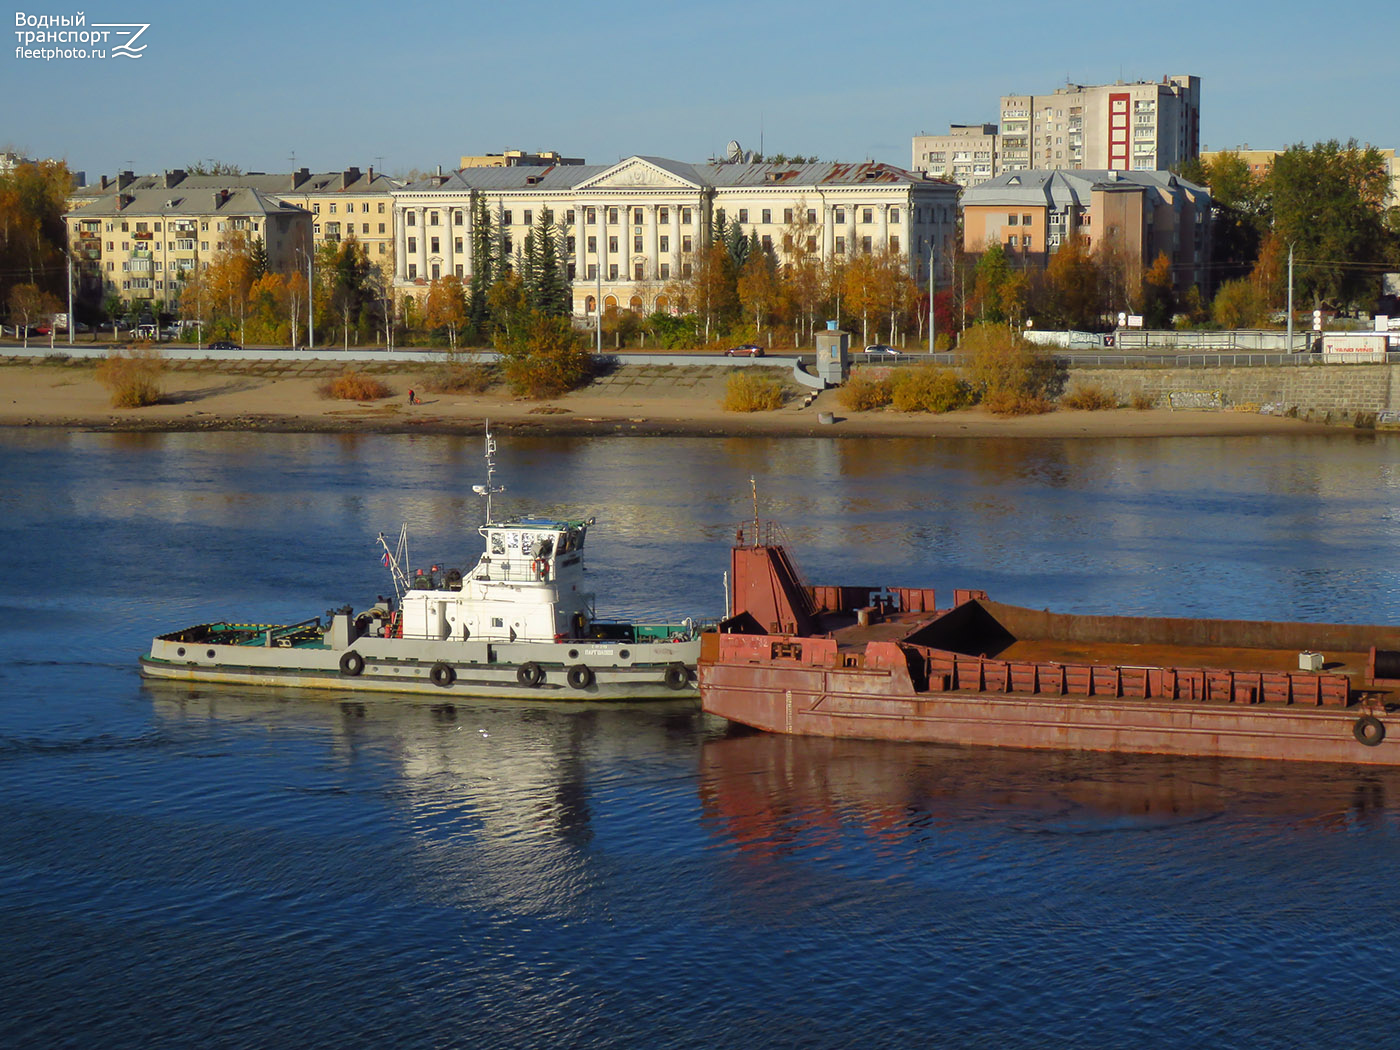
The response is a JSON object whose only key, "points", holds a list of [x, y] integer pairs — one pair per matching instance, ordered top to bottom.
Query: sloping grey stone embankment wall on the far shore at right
{"points": [[1331, 393]]}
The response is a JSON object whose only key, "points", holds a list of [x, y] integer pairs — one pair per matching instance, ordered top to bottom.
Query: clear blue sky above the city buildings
{"points": [[419, 85]]}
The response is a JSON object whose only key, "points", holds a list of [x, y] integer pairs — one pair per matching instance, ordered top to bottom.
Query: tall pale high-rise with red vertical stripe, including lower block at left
{"points": [[1139, 127]]}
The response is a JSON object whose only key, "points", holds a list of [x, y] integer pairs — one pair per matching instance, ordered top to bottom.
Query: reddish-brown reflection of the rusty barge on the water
{"points": [[771, 793]]}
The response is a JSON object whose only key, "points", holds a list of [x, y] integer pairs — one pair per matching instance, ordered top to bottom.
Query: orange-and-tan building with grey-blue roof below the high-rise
{"points": [[1144, 213]]}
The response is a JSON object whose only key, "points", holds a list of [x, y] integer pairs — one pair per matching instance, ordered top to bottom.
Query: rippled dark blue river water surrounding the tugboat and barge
{"points": [[222, 867]]}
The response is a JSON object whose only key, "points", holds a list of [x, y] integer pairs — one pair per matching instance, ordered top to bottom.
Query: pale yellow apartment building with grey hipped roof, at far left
{"points": [[141, 246]]}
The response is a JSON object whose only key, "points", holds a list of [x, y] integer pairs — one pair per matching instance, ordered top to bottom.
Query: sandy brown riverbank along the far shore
{"points": [[635, 400]]}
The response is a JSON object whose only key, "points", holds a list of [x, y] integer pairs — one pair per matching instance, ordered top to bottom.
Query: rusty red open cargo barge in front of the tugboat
{"points": [[888, 664]]}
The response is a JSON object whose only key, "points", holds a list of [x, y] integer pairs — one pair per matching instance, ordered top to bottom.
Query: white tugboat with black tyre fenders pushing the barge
{"points": [[517, 625]]}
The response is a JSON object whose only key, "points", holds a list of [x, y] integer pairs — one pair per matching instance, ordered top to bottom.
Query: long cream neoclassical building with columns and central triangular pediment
{"points": [[639, 225]]}
